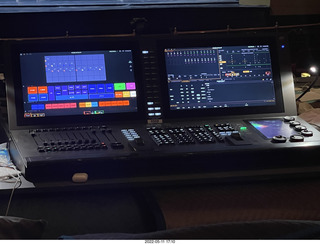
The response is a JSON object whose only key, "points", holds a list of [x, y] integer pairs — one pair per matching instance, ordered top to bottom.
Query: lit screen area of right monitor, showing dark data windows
{"points": [[219, 77]]}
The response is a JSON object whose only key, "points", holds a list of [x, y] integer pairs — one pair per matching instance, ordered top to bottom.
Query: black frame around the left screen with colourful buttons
{"points": [[72, 45]]}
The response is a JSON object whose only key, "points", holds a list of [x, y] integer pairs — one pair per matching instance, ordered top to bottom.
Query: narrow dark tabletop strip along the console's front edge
{"points": [[233, 177]]}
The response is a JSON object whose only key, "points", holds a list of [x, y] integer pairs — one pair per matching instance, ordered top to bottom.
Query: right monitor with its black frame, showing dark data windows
{"points": [[233, 77]]}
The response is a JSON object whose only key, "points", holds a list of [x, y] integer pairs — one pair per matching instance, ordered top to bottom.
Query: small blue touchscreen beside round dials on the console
{"points": [[272, 127]]}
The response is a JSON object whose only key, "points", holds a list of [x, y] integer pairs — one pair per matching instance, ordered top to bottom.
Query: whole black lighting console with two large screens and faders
{"points": [[154, 106]]}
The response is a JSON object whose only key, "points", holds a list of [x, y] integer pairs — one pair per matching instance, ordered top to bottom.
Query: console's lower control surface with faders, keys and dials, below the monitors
{"points": [[173, 148]]}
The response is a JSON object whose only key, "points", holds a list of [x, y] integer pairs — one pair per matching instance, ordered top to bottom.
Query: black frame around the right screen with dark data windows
{"points": [[217, 41]]}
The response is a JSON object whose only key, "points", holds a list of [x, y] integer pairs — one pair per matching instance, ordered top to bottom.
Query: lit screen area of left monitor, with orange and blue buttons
{"points": [[78, 83]]}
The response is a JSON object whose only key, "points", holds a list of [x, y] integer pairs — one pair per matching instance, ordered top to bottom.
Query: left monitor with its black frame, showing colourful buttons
{"points": [[86, 83]]}
